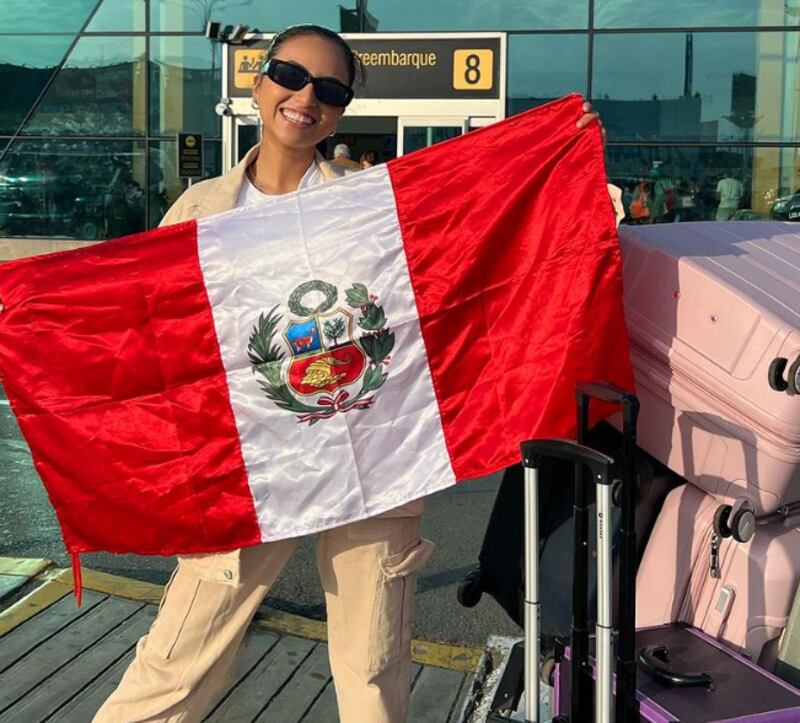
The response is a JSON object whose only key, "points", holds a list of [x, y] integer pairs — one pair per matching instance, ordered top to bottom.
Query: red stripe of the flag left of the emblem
{"points": [[133, 365]]}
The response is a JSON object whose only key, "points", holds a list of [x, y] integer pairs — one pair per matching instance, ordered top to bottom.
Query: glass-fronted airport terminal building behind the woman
{"points": [[111, 107]]}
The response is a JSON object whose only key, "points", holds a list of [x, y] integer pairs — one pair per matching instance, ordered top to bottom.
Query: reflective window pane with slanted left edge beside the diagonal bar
{"points": [[100, 91]]}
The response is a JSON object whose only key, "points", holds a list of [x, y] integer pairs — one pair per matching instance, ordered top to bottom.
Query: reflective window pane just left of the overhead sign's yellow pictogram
{"points": [[185, 82]]}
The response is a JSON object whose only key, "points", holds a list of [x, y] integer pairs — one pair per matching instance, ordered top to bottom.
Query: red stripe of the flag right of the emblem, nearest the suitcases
{"points": [[490, 221]]}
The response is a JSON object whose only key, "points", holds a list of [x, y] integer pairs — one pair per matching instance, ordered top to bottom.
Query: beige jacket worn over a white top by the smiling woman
{"points": [[206, 198]]}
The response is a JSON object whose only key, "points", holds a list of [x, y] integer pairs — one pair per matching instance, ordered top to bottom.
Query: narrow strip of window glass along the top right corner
{"points": [[683, 13]]}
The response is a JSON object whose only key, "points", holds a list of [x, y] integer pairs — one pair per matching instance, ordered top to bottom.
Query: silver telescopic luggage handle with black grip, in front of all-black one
{"points": [[533, 452]]}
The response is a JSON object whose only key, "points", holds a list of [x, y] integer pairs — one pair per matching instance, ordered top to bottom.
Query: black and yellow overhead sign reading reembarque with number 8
{"points": [[420, 68]]}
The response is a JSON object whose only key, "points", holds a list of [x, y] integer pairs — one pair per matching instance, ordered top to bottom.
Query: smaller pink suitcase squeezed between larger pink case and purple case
{"points": [[747, 606]]}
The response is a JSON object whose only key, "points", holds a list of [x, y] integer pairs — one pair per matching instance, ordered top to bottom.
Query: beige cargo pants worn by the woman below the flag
{"points": [[368, 571]]}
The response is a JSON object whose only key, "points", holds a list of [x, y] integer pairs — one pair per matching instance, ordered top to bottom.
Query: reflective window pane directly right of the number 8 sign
{"points": [[544, 67]]}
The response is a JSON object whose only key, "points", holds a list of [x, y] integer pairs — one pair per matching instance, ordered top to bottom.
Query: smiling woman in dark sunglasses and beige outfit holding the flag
{"points": [[367, 568]]}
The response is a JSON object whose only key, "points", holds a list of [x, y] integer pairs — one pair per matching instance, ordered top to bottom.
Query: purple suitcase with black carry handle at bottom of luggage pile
{"points": [[741, 691]]}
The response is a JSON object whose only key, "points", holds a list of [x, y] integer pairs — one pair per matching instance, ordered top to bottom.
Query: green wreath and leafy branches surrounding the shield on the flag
{"points": [[267, 358]]}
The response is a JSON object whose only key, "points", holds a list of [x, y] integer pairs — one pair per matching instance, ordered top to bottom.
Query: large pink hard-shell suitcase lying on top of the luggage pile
{"points": [[709, 307]]}
